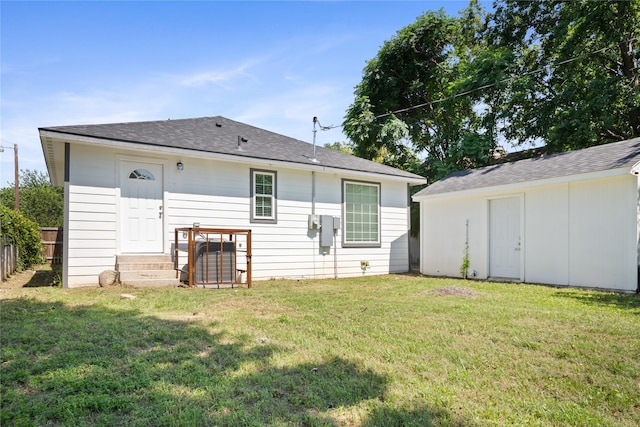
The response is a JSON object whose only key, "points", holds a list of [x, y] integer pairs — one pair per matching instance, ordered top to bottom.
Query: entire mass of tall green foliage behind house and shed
{"points": [[450, 90]]}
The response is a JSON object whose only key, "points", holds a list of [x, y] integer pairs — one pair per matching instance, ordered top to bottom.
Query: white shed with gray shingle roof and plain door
{"points": [[569, 219]]}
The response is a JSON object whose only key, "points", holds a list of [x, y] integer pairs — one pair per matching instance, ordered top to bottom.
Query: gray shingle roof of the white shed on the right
{"points": [[593, 159]]}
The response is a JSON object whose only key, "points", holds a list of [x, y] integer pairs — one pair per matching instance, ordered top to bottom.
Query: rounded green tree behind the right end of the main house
{"points": [[407, 104]]}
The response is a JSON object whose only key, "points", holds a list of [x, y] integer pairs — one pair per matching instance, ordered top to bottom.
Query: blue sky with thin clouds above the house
{"points": [[274, 65]]}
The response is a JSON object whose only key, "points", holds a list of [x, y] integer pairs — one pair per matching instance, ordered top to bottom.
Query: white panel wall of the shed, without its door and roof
{"points": [[577, 233]]}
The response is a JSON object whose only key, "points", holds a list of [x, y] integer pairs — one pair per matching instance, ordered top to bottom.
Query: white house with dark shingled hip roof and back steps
{"points": [[128, 186]]}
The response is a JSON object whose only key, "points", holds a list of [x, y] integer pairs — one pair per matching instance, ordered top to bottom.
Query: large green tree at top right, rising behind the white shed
{"points": [[579, 70]]}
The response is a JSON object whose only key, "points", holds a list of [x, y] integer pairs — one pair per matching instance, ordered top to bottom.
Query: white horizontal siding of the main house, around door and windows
{"points": [[217, 194]]}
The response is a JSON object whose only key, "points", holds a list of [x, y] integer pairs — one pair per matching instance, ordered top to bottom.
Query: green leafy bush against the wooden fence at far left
{"points": [[24, 234]]}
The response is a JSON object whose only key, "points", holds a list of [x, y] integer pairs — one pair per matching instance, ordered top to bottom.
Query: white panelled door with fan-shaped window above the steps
{"points": [[141, 207]]}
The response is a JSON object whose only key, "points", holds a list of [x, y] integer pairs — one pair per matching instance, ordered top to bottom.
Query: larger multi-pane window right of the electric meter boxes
{"points": [[361, 214]]}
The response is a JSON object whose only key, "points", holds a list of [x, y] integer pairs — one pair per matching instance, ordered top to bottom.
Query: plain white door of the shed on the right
{"points": [[504, 238]]}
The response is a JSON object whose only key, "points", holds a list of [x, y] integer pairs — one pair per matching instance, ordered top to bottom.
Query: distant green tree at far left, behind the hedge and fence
{"points": [[39, 201]]}
